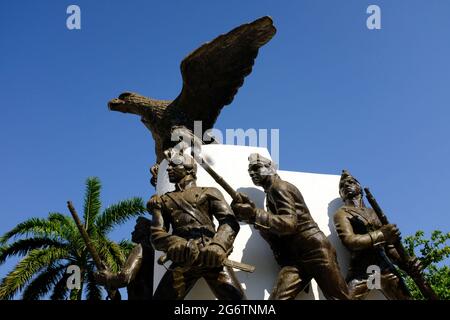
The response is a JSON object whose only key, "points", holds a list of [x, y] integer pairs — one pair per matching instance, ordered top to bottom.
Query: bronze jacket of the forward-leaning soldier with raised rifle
{"points": [[287, 225]]}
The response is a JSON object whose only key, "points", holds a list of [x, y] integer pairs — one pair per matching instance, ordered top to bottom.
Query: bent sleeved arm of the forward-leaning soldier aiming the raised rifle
{"points": [[285, 221]]}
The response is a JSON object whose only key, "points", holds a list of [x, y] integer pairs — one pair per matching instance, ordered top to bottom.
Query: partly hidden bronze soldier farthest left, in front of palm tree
{"points": [[137, 273]]}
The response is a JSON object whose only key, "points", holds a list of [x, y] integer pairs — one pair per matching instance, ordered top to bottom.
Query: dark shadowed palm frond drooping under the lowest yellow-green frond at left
{"points": [[43, 283]]}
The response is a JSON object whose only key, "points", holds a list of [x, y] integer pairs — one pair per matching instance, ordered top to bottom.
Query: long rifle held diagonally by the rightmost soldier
{"points": [[418, 278]]}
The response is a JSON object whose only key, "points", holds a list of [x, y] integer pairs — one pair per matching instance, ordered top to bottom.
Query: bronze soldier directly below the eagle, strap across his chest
{"points": [[195, 247]]}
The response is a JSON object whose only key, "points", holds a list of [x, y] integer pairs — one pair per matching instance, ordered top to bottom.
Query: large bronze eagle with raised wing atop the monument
{"points": [[212, 75]]}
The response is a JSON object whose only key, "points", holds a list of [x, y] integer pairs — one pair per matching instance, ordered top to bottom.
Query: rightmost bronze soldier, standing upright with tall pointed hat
{"points": [[370, 243]]}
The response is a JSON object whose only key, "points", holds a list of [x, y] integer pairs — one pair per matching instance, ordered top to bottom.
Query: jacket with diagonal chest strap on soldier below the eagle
{"points": [[189, 210]]}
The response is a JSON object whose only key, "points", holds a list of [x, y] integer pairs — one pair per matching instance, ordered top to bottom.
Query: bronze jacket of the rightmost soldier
{"points": [[358, 229]]}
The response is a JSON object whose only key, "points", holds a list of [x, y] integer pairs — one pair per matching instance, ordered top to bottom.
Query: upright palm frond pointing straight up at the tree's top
{"points": [[92, 203]]}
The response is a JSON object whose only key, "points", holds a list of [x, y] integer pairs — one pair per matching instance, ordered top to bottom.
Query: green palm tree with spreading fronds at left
{"points": [[49, 246]]}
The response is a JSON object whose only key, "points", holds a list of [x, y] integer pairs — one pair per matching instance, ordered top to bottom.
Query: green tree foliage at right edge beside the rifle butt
{"points": [[433, 253]]}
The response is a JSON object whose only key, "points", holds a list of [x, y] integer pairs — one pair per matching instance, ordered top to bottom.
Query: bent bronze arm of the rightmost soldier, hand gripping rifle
{"points": [[354, 242]]}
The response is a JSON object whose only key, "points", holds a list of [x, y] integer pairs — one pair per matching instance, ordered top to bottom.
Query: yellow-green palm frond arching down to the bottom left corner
{"points": [[27, 268]]}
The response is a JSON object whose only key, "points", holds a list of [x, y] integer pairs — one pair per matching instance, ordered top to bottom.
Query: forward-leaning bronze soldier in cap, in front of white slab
{"points": [[299, 246]]}
